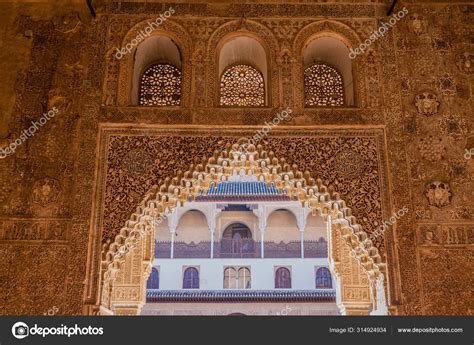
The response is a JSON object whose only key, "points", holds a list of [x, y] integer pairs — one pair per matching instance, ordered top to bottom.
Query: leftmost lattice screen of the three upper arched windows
{"points": [[160, 85]]}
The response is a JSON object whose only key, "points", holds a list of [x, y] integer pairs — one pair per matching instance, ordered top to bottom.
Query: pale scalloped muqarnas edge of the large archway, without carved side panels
{"points": [[138, 231]]}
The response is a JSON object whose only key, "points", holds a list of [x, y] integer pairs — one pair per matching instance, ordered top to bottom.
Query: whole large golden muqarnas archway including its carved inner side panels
{"points": [[127, 262]]}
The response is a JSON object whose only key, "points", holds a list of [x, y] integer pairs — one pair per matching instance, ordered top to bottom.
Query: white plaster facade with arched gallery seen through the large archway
{"points": [[278, 222]]}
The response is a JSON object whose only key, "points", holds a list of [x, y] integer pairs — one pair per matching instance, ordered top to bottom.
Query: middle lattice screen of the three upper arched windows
{"points": [[242, 86]]}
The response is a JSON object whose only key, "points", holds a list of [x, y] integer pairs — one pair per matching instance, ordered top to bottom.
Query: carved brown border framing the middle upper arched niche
{"points": [[237, 28]]}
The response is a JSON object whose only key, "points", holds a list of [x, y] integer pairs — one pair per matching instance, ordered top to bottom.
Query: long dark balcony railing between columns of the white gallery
{"points": [[244, 248]]}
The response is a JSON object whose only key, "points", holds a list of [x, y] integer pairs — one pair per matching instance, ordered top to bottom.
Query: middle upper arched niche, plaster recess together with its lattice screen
{"points": [[243, 72]]}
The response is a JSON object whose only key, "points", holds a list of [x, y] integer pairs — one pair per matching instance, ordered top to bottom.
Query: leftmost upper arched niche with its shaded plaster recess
{"points": [[161, 51]]}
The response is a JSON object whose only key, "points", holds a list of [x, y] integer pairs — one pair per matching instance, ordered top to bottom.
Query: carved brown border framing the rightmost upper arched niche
{"points": [[339, 31]]}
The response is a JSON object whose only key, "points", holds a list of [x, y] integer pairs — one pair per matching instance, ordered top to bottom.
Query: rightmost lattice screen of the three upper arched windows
{"points": [[323, 86]]}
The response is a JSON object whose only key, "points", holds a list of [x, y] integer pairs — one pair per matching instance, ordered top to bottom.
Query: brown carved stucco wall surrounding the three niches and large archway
{"points": [[67, 190]]}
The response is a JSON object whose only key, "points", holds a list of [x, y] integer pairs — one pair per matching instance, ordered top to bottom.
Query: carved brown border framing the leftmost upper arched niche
{"points": [[170, 29]]}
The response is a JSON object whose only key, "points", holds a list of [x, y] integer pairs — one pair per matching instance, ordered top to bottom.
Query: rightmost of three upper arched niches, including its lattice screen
{"points": [[329, 56]]}
